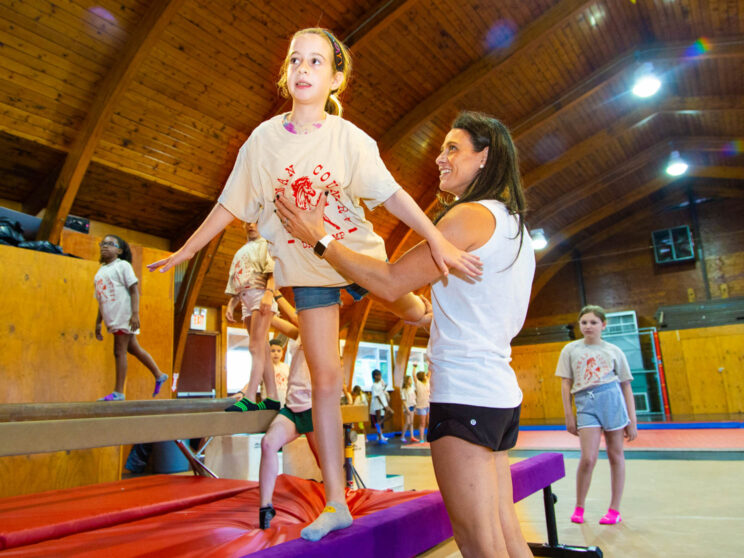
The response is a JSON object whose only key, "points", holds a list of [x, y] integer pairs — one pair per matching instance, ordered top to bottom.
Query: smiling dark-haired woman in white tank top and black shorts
{"points": [[475, 399]]}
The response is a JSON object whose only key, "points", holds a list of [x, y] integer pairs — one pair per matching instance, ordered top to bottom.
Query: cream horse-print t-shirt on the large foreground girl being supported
{"points": [[338, 157]]}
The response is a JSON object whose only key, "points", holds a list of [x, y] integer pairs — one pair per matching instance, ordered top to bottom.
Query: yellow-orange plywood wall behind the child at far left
{"points": [[48, 351]]}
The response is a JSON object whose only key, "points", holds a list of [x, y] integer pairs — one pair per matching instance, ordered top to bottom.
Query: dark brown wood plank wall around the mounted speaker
{"points": [[620, 273]]}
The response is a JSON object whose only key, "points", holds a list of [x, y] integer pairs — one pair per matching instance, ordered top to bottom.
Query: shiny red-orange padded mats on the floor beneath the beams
{"points": [[101, 523]]}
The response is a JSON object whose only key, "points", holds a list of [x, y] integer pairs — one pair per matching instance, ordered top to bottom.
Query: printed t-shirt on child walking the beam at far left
{"points": [[112, 282]]}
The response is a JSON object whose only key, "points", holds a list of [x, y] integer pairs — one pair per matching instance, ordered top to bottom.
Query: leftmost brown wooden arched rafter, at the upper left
{"points": [[66, 187]]}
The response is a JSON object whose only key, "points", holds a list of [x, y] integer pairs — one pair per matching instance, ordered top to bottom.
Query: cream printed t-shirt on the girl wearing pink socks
{"points": [[589, 366]]}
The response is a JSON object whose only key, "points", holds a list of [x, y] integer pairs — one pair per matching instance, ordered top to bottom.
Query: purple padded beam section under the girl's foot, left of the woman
{"points": [[378, 534]]}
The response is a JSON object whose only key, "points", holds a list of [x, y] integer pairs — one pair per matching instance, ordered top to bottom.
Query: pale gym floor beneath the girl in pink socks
{"points": [[671, 508]]}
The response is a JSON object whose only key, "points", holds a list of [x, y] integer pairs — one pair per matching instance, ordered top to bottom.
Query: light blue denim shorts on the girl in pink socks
{"points": [[602, 406]]}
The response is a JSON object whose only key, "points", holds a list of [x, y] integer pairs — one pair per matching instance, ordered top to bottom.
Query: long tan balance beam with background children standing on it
{"points": [[90, 425]]}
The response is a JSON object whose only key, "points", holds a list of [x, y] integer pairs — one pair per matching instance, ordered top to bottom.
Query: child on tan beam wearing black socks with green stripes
{"points": [[251, 284]]}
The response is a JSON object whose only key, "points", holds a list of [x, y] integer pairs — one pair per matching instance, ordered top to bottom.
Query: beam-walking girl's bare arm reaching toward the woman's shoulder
{"points": [[445, 254]]}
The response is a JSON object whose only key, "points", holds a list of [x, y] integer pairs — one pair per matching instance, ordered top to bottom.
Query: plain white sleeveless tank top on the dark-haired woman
{"points": [[476, 319]]}
